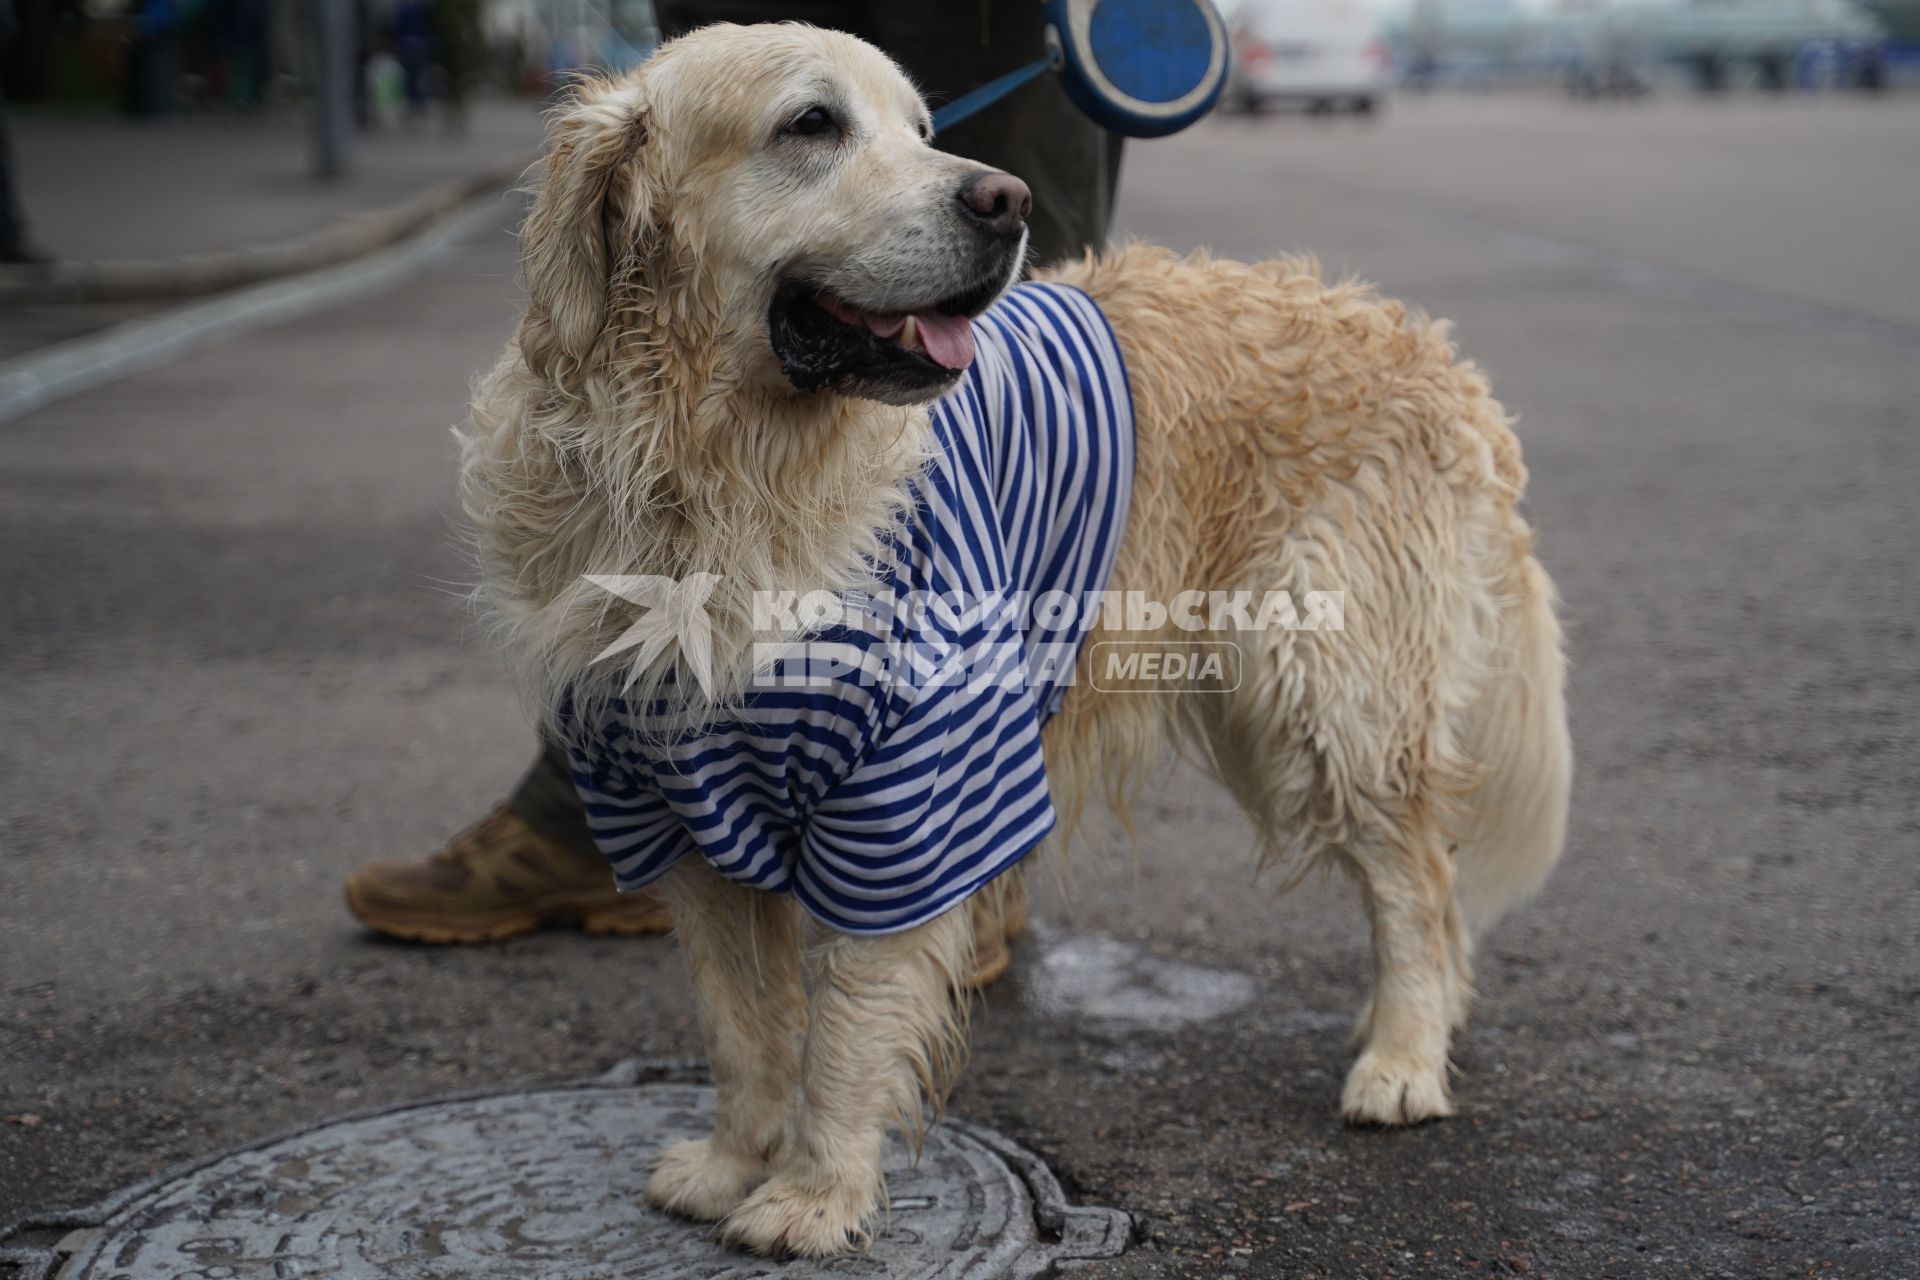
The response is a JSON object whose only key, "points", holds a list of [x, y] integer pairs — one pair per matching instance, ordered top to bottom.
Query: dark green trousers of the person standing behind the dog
{"points": [[1070, 164]]}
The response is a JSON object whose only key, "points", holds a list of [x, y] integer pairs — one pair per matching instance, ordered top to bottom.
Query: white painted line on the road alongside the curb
{"points": [[97, 360]]}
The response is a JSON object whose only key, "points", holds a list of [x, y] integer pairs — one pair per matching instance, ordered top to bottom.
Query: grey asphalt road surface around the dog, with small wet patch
{"points": [[239, 665]]}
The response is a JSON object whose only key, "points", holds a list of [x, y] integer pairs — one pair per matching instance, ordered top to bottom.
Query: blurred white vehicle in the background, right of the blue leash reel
{"points": [[1318, 55]]}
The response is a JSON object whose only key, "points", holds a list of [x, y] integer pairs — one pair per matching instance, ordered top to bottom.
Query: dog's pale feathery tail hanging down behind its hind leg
{"points": [[1518, 734]]}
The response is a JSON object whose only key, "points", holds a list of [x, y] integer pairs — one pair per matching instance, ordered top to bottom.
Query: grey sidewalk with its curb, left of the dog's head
{"points": [[145, 214]]}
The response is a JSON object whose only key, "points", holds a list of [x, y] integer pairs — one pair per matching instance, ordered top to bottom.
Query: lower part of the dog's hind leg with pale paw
{"points": [[1406, 882]]}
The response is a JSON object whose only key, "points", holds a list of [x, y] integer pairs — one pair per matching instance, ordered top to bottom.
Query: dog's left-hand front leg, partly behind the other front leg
{"points": [[744, 949]]}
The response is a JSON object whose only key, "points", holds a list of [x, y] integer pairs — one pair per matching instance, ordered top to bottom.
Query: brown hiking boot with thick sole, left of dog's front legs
{"points": [[492, 882]]}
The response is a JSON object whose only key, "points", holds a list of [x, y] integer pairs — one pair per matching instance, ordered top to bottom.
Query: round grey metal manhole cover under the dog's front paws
{"points": [[542, 1185]]}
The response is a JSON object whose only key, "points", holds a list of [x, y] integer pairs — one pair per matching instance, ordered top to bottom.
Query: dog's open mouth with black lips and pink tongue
{"points": [[905, 354]]}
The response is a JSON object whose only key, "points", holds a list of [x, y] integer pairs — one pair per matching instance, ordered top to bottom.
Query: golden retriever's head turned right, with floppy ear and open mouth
{"points": [[771, 197]]}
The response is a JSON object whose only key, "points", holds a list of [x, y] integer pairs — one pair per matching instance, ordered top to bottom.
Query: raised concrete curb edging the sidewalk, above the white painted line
{"points": [[193, 275]]}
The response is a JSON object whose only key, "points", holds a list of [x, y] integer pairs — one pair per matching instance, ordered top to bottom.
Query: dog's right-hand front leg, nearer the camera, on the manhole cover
{"points": [[884, 1035]]}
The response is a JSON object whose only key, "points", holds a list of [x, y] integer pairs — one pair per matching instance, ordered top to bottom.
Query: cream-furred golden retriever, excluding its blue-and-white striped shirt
{"points": [[696, 391]]}
